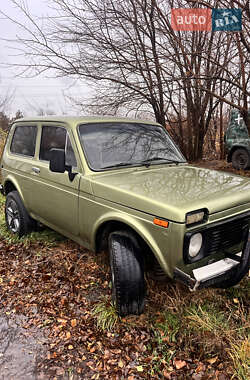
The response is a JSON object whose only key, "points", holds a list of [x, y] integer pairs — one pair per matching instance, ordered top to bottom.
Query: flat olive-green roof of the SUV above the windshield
{"points": [[75, 120]]}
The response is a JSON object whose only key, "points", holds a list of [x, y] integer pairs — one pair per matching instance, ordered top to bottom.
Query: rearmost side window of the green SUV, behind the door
{"points": [[24, 141]]}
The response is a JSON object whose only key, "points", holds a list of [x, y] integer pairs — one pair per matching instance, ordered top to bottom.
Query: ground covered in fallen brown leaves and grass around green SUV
{"points": [[64, 290]]}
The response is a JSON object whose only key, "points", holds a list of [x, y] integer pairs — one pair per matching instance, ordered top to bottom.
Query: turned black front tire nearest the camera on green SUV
{"points": [[127, 270]]}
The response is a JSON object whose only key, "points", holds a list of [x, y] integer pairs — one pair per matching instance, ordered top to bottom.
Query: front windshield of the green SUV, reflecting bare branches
{"points": [[115, 144]]}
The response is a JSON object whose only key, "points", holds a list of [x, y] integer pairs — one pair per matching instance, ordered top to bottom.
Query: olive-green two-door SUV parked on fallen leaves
{"points": [[123, 186]]}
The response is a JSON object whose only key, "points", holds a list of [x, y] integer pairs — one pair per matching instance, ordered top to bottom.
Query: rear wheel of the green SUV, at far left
{"points": [[17, 218]]}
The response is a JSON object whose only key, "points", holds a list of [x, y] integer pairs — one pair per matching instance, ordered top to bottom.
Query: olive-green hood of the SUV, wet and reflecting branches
{"points": [[172, 191]]}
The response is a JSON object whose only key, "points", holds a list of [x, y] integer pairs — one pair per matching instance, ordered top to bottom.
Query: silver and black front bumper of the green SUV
{"points": [[221, 274]]}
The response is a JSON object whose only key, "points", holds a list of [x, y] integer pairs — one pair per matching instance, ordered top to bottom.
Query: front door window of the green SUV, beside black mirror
{"points": [[56, 137]]}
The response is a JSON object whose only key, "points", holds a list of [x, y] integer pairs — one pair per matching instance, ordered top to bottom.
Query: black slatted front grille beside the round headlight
{"points": [[224, 236]]}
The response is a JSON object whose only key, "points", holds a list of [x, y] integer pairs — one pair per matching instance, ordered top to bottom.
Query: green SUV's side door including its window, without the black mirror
{"points": [[55, 196]]}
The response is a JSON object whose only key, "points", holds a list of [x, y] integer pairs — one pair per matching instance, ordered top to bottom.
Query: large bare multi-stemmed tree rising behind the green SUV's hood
{"points": [[129, 52]]}
